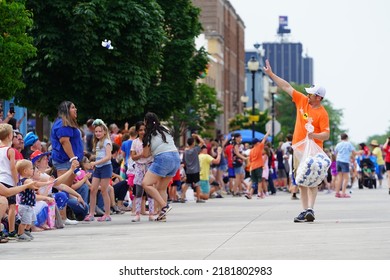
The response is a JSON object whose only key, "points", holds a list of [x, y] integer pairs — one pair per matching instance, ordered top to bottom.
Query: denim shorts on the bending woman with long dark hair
{"points": [[165, 164]]}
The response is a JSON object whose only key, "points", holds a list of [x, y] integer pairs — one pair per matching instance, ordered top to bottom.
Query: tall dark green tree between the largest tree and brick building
{"points": [[174, 87]]}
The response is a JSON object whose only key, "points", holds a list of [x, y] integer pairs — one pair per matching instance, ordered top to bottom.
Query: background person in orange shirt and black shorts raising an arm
{"points": [[256, 164]]}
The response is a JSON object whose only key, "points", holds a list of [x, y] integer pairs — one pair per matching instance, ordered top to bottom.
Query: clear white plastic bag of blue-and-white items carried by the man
{"points": [[313, 163]]}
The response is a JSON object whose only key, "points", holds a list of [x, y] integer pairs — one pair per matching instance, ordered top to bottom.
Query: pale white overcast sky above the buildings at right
{"points": [[349, 42]]}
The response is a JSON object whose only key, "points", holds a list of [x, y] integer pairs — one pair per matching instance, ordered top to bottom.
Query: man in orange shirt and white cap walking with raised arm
{"points": [[309, 110]]}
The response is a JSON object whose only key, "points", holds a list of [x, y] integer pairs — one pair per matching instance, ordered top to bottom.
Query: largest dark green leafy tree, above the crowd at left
{"points": [[73, 65]]}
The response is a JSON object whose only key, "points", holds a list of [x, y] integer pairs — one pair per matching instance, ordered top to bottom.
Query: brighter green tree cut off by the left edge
{"points": [[15, 46]]}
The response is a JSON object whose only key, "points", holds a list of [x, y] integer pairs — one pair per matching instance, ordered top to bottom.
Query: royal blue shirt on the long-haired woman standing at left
{"points": [[57, 132]]}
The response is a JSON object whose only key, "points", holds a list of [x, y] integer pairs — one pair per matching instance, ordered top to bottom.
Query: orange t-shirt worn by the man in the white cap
{"points": [[319, 116]]}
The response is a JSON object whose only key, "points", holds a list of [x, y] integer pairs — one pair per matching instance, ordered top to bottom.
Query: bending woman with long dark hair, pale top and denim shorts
{"points": [[158, 142]]}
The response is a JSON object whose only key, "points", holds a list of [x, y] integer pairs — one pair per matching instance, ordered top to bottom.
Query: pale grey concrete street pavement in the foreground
{"points": [[230, 228]]}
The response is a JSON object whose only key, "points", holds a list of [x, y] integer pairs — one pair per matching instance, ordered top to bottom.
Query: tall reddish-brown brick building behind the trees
{"points": [[224, 36]]}
